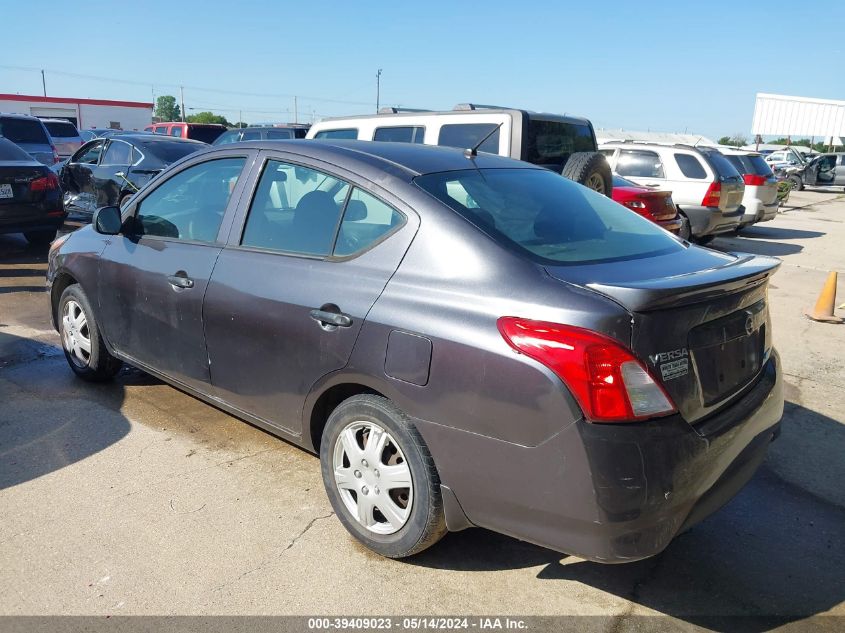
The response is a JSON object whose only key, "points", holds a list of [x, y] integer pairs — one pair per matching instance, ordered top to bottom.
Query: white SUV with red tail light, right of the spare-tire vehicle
{"points": [[706, 188]]}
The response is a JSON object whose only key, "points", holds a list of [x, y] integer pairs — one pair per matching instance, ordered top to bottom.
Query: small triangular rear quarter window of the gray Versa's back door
{"points": [[366, 220]]}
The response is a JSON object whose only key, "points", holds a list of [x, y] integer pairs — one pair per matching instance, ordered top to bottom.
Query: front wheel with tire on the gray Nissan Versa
{"points": [[82, 343]]}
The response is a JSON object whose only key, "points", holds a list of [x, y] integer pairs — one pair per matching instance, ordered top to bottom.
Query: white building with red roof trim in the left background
{"points": [[84, 113]]}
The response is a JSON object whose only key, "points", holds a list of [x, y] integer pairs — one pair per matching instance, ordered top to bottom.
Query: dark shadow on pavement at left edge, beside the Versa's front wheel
{"points": [[41, 435]]}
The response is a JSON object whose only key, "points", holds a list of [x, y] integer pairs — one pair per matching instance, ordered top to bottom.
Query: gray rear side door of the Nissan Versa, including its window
{"points": [[265, 347]]}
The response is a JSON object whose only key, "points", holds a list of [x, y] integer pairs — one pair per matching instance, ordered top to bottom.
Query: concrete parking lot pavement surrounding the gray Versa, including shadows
{"points": [[134, 498]]}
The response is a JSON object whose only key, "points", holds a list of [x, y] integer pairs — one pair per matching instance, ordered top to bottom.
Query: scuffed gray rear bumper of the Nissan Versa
{"points": [[611, 493]]}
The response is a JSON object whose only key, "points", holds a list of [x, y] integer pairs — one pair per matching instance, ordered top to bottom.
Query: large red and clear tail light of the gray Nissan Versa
{"points": [[608, 382]]}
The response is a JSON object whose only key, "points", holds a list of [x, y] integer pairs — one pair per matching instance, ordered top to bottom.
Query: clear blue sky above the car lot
{"points": [[664, 66]]}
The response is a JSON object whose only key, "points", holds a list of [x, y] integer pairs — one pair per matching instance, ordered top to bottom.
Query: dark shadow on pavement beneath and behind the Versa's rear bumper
{"points": [[772, 555]]}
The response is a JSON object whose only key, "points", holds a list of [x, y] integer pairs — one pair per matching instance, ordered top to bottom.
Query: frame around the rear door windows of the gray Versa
{"points": [[233, 241]]}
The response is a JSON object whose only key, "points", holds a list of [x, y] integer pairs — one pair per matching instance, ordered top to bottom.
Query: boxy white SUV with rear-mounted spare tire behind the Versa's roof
{"points": [[564, 144]]}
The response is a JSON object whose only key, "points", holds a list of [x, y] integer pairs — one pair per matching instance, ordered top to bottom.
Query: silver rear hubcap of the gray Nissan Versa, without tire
{"points": [[373, 477]]}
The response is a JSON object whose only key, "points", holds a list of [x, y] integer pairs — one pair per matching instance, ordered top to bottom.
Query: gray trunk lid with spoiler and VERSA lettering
{"points": [[700, 320]]}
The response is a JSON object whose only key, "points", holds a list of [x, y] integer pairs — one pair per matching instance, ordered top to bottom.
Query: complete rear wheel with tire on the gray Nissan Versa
{"points": [[380, 477]]}
